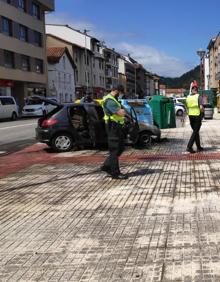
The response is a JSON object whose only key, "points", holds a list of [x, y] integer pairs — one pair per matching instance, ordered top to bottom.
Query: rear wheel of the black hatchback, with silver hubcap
{"points": [[62, 142]]}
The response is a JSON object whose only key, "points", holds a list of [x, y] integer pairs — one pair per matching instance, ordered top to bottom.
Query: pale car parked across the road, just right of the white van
{"points": [[36, 107]]}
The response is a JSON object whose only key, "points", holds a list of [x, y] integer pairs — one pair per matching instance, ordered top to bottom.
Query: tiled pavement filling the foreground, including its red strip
{"points": [[61, 219]]}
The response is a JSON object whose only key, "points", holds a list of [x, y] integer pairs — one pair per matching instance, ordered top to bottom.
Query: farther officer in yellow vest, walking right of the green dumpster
{"points": [[195, 110]]}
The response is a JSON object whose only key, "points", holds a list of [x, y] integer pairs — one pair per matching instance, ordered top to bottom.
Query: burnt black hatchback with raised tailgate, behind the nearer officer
{"points": [[80, 125]]}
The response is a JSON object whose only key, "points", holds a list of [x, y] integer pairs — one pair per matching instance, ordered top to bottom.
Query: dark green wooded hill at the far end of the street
{"points": [[183, 81]]}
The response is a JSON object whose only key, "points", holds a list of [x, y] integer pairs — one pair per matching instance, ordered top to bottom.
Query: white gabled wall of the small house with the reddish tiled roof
{"points": [[61, 80]]}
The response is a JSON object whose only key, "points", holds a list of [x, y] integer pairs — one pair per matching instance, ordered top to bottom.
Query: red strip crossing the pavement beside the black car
{"points": [[37, 154]]}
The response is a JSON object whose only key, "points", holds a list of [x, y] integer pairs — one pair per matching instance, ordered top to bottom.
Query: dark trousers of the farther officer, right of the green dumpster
{"points": [[195, 122]]}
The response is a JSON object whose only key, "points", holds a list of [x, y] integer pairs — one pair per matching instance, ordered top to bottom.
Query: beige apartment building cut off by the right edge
{"points": [[214, 63]]}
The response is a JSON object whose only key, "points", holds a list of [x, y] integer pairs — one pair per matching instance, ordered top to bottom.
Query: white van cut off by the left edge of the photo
{"points": [[8, 108]]}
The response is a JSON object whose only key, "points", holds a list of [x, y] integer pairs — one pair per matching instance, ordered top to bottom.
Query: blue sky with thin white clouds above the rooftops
{"points": [[163, 35]]}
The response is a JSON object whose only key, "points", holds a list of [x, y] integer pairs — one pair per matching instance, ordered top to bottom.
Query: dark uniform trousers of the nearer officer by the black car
{"points": [[115, 145]]}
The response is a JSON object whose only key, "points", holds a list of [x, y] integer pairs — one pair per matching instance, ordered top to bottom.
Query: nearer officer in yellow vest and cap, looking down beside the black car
{"points": [[114, 119]]}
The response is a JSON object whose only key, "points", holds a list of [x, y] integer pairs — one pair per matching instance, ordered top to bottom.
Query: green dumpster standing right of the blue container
{"points": [[163, 111]]}
